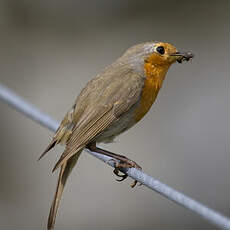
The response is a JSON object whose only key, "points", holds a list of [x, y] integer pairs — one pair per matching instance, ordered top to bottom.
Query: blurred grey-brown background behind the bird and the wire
{"points": [[50, 49]]}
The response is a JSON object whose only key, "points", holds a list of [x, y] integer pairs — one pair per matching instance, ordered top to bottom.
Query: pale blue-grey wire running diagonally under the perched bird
{"points": [[35, 114]]}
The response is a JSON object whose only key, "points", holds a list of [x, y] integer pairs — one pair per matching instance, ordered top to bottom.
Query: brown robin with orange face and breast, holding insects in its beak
{"points": [[111, 103]]}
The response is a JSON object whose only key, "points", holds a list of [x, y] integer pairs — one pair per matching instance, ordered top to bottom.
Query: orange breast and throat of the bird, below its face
{"points": [[152, 85]]}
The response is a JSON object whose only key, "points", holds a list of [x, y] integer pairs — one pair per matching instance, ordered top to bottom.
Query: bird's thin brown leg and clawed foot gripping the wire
{"points": [[123, 162]]}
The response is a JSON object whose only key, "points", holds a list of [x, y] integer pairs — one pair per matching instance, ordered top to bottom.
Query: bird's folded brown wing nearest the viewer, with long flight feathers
{"points": [[106, 107]]}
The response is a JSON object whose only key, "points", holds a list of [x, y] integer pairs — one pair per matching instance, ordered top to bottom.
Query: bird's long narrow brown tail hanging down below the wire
{"points": [[65, 170]]}
